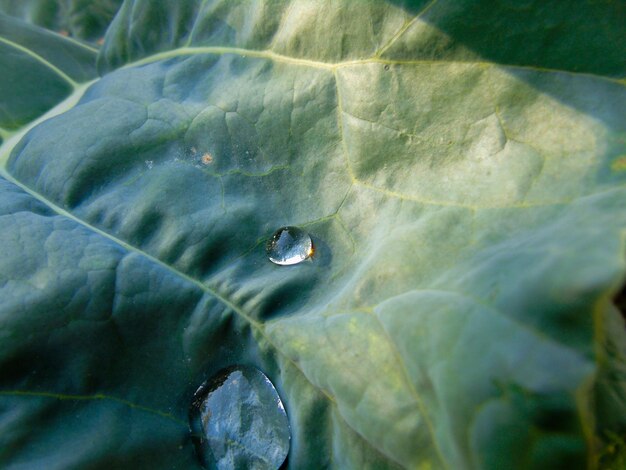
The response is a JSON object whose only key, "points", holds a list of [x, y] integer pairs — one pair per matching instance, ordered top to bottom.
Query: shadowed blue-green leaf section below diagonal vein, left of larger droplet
{"points": [[96, 338]]}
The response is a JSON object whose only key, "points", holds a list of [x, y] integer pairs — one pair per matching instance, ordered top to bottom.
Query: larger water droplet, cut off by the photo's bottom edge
{"points": [[238, 421]]}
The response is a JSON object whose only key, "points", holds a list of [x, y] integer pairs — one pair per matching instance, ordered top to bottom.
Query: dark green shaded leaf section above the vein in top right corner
{"points": [[538, 33]]}
